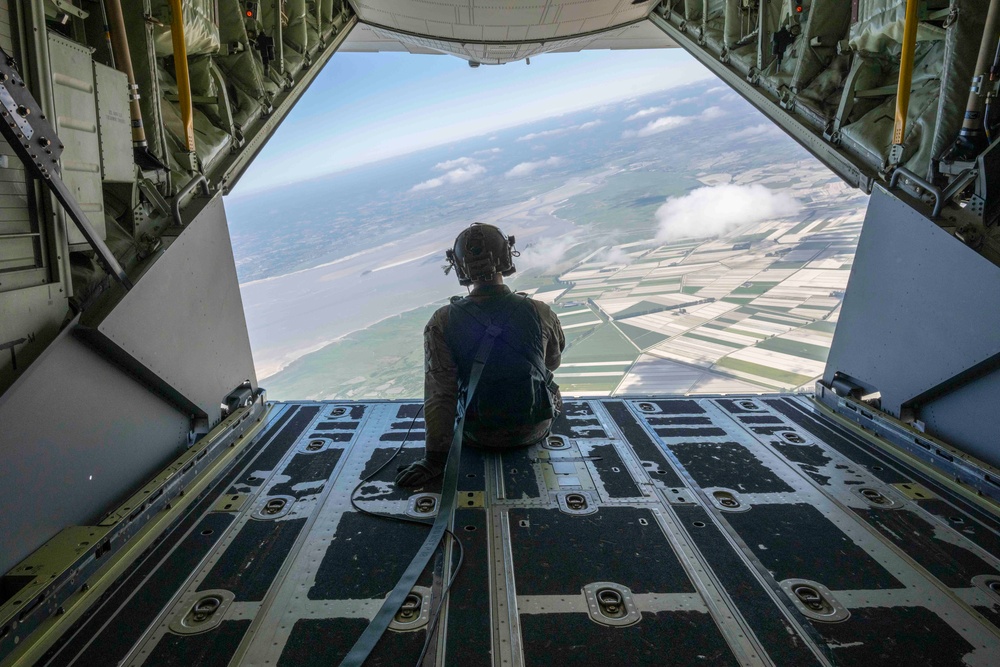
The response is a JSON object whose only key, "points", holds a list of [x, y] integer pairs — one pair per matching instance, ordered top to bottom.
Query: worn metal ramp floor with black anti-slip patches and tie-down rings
{"points": [[718, 531]]}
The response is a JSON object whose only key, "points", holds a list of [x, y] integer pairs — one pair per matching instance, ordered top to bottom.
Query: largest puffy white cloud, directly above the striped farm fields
{"points": [[715, 210]]}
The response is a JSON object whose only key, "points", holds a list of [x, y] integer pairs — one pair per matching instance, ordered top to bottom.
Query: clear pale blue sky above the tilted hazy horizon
{"points": [[366, 107]]}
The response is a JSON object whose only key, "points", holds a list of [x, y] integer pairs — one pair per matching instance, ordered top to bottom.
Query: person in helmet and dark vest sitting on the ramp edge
{"points": [[516, 399]]}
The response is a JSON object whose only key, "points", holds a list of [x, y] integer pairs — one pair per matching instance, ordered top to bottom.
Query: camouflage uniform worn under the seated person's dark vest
{"points": [[441, 377]]}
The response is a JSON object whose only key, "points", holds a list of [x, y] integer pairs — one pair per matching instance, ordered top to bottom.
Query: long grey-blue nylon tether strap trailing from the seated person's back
{"points": [[449, 485]]}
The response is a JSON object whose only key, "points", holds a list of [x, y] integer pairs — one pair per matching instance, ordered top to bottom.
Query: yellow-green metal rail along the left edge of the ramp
{"points": [[57, 555]]}
